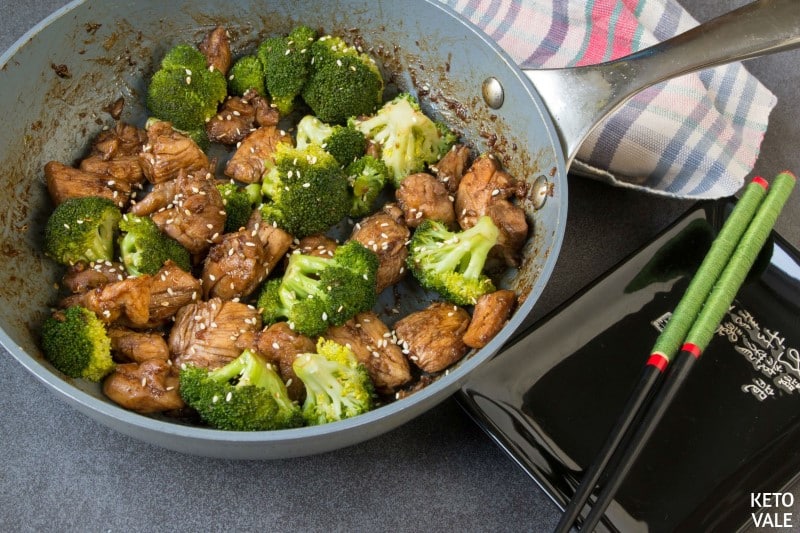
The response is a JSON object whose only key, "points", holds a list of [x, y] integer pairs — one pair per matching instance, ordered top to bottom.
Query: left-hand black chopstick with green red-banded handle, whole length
{"points": [[668, 342]]}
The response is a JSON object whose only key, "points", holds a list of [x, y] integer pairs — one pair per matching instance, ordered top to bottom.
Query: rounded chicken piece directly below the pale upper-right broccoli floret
{"points": [[421, 196]]}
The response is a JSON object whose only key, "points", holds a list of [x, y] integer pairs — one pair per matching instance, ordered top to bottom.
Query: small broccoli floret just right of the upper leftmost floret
{"points": [[144, 248]]}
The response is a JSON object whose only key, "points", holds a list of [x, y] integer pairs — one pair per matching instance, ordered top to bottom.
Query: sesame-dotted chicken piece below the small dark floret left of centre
{"points": [[235, 267]]}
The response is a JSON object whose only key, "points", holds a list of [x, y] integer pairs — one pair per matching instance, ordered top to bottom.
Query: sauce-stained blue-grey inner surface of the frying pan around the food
{"points": [[58, 78]]}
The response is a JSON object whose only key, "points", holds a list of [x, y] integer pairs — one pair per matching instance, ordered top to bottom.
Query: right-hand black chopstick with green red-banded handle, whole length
{"points": [[699, 335]]}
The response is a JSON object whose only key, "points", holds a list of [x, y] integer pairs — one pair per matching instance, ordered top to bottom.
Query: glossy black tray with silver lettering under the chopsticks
{"points": [[551, 398]]}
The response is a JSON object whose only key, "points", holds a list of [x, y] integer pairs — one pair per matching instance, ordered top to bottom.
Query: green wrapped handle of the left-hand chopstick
{"points": [[684, 315]]}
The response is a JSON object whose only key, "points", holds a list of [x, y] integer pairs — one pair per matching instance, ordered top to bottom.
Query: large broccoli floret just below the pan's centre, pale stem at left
{"points": [[316, 291]]}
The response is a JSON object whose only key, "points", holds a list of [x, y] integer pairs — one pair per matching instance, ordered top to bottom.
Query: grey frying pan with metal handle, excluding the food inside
{"points": [[58, 77]]}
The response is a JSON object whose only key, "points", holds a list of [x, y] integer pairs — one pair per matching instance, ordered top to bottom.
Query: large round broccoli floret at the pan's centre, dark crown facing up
{"points": [[306, 189]]}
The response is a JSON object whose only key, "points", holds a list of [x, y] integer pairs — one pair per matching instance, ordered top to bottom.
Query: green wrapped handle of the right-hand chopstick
{"points": [[741, 262]]}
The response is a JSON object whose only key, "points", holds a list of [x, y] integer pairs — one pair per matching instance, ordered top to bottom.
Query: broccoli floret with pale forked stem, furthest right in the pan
{"points": [[451, 263]]}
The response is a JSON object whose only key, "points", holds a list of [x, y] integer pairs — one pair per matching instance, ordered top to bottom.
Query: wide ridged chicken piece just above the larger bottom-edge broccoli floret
{"points": [[213, 333]]}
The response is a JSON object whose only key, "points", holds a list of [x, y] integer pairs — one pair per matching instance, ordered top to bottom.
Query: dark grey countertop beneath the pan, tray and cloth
{"points": [[64, 472]]}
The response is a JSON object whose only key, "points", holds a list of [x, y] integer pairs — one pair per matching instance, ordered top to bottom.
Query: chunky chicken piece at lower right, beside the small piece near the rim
{"points": [[434, 337]]}
